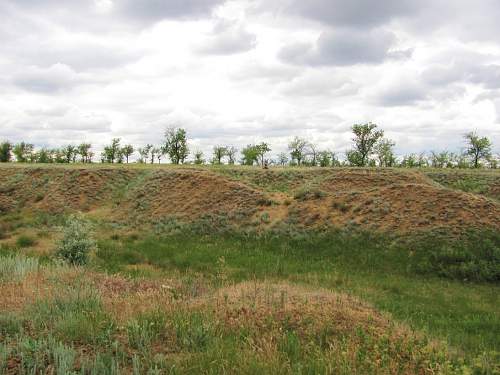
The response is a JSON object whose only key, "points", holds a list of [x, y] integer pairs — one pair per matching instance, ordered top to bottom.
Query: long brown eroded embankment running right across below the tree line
{"points": [[387, 200]]}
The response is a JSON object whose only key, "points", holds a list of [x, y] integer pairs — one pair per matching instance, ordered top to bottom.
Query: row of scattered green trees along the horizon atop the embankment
{"points": [[369, 149]]}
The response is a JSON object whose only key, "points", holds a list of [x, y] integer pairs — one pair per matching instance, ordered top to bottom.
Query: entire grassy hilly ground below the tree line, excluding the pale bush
{"points": [[243, 270]]}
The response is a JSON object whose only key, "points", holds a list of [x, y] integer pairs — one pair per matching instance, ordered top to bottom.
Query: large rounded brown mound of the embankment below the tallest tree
{"points": [[391, 200]]}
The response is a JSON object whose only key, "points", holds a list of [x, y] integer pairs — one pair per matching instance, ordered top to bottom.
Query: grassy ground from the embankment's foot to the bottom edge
{"points": [[234, 303]]}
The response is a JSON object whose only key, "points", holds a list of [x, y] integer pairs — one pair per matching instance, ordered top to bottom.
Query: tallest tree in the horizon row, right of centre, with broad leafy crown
{"points": [[365, 138]]}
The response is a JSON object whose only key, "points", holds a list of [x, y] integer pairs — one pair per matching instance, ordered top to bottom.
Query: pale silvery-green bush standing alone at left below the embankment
{"points": [[77, 242]]}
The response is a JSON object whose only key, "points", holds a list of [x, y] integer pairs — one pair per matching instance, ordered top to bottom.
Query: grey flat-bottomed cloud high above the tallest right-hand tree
{"points": [[342, 47]]}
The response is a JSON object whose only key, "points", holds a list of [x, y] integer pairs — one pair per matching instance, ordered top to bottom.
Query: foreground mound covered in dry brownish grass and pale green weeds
{"points": [[253, 327]]}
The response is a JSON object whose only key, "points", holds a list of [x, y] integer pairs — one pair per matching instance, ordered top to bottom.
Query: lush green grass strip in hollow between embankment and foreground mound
{"points": [[369, 266]]}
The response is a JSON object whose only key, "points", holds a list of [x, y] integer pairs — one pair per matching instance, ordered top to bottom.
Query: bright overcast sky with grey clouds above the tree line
{"points": [[242, 71]]}
